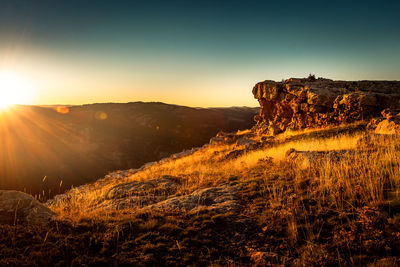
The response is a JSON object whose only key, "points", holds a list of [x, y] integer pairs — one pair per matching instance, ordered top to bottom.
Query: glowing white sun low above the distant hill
{"points": [[14, 89]]}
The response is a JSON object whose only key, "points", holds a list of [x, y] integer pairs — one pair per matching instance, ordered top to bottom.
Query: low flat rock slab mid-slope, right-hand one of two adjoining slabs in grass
{"points": [[219, 199]]}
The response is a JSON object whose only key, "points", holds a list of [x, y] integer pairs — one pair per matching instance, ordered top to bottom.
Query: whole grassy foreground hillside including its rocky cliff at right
{"points": [[307, 194]]}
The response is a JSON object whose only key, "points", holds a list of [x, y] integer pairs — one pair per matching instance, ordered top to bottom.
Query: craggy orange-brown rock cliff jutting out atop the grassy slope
{"points": [[303, 103]]}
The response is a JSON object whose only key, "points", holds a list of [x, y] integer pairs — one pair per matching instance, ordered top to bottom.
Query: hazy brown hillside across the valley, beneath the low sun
{"points": [[78, 144]]}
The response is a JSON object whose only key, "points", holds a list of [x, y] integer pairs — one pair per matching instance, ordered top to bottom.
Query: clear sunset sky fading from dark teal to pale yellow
{"points": [[194, 53]]}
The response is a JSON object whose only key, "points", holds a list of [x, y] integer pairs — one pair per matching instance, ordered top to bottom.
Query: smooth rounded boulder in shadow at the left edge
{"points": [[20, 208]]}
